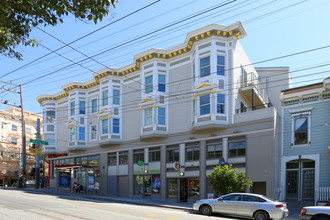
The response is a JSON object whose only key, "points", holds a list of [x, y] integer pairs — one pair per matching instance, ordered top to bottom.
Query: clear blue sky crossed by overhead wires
{"points": [[275, 28]]}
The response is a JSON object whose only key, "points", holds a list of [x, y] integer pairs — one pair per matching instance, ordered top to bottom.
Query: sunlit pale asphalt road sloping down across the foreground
{"points": [[15, 204]]}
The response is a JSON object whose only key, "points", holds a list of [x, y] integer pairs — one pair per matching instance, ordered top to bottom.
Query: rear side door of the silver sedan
{"points": [[247, 205]]}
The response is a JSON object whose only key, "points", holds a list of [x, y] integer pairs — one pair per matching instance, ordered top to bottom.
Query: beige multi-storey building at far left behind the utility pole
{"points": [[11, 143]]}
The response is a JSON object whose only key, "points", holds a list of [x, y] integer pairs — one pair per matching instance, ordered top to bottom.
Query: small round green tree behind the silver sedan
{"points": [[225, 179]]}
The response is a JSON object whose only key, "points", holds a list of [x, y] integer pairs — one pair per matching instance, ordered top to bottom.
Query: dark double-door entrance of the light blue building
{"points": [[300, 178]]}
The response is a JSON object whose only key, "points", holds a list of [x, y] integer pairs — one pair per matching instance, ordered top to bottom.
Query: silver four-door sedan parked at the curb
{"points": [[245, 205]]}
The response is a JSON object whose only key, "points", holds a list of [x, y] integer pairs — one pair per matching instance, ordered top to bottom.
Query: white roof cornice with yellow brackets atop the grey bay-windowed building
{"points": [[235, 30]]}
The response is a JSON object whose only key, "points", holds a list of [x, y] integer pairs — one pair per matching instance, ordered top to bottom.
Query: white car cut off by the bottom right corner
{"points": [[315, 213]]}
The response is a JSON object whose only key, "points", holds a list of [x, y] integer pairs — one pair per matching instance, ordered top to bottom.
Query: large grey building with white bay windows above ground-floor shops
{"points": [[157, 127]]}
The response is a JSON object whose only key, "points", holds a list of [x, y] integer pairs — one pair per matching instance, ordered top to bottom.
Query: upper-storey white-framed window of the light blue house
{"points": [[301, 133]]}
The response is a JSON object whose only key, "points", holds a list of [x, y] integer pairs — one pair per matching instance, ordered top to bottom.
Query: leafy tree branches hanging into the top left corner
{"points": [[18, 17]]}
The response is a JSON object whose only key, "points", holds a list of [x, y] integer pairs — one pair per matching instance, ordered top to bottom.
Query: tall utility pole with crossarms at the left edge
{"points": [[7, 102]]}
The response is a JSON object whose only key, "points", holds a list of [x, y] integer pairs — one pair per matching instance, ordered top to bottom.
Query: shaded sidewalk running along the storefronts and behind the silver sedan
{"points": [[149, 202]]}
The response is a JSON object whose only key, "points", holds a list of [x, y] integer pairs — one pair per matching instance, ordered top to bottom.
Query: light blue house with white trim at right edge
{"points": [[306, 141]]}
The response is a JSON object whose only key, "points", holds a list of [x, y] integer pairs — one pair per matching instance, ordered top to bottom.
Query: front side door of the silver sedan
{"points": [[227, 204]]}
